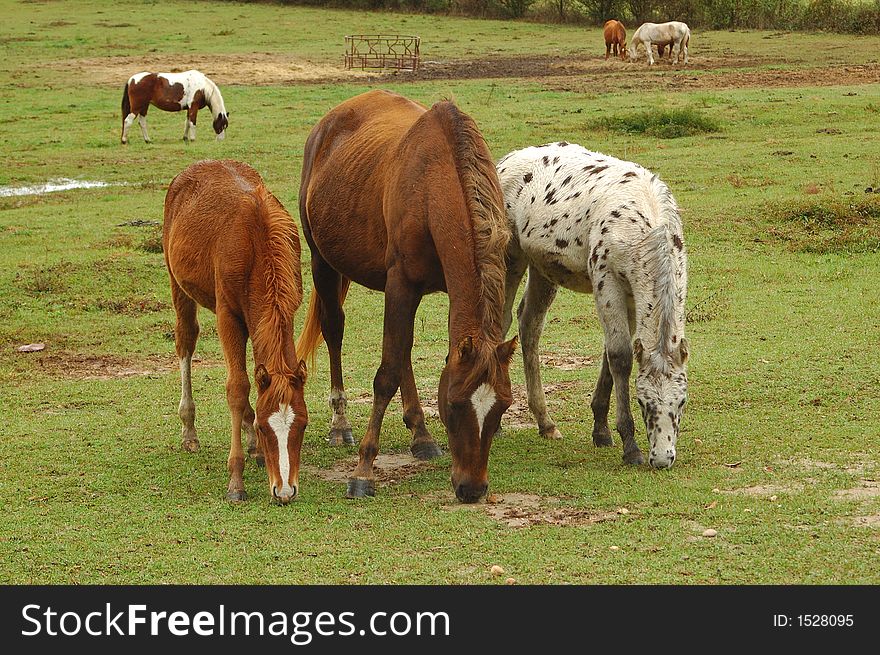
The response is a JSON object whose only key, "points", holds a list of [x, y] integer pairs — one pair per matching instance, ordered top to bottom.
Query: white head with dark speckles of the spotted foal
{"points": [[661, 389]]}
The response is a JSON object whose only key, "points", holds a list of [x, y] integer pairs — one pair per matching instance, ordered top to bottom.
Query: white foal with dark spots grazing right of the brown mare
{"points": [[595, 224]]}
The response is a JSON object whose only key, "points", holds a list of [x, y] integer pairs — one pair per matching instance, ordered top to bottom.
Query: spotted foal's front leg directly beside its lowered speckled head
{"points": [[612, 306]]}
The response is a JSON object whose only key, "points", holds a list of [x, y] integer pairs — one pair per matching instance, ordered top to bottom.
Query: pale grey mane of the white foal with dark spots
{"points": [[662, 249]]}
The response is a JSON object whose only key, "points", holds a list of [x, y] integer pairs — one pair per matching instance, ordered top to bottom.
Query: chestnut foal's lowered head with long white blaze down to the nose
{"points": [[281, 421]]}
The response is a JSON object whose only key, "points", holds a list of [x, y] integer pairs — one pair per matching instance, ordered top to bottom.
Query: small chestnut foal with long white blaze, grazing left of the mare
{"points": [[231, 246]]}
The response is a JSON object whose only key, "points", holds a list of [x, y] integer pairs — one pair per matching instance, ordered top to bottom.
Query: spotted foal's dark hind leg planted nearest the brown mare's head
{"points": [[536, 300]]}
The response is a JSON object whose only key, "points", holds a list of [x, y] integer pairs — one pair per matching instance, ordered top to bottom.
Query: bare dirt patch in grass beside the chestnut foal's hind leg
{"points": [[78, 366]]}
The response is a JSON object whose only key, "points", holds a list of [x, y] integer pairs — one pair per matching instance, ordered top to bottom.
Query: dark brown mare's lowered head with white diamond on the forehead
{"points": [[474, 392]]}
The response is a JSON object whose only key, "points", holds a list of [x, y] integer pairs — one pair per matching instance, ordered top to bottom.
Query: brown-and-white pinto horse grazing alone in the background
{"points": [[190, 90]]}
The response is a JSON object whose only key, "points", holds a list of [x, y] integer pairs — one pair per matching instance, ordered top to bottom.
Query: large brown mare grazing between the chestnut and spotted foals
{"points": [[405, 200]]}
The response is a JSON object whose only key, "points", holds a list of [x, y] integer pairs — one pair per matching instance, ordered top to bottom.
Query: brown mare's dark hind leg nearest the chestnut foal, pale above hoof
{"points": [[327, 285]]}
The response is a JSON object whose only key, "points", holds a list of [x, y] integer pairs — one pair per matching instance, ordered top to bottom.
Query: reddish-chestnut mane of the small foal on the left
{"points": [[283, 295]]}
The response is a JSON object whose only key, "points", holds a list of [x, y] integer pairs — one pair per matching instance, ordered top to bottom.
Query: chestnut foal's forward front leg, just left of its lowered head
{"points": [[233, 338]]}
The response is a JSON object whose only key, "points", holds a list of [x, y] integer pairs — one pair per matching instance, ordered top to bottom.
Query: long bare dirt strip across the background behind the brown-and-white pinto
{"points": [[592, 75]]}
